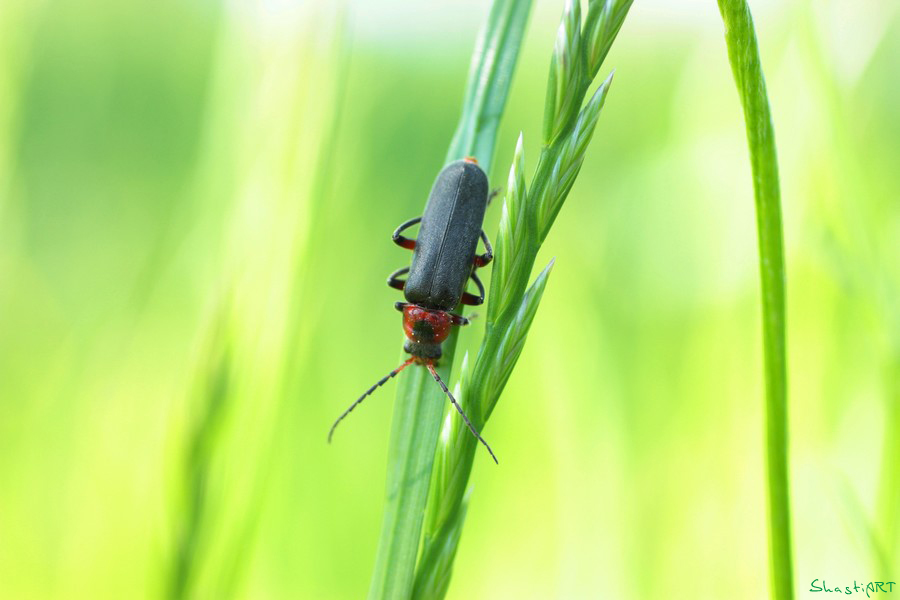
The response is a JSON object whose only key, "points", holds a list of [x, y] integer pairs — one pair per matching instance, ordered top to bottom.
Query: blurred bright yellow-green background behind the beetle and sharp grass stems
{"points": [[196, 200]]}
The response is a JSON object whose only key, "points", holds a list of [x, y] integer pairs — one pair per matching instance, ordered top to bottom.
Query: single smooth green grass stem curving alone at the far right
{"points": [[743, 53]]}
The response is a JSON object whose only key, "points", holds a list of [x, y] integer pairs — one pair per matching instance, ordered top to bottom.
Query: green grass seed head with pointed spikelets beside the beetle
{"points": [[528, 213]]}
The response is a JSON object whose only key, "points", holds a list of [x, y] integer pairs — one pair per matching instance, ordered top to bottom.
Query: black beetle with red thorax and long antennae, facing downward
{"points": [[444, 260]]}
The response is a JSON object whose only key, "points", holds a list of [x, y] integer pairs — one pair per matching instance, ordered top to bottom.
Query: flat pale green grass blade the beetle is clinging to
{"points": [[420, 404]]}
